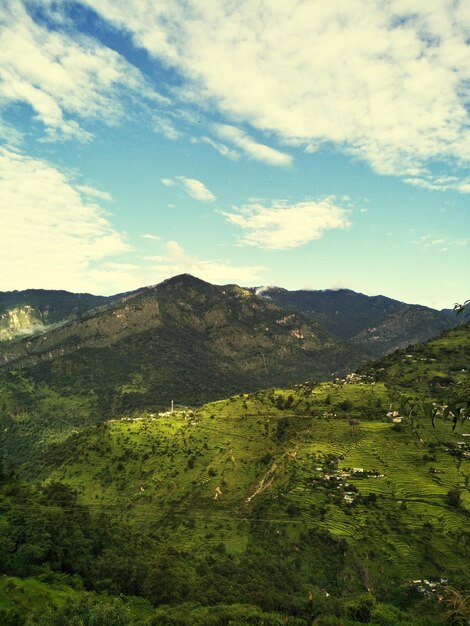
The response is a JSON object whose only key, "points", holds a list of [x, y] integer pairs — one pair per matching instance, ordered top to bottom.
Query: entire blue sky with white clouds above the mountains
{"points": [[298, 143]]}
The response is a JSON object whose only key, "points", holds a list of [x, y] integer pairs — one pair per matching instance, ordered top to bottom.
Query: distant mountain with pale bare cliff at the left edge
{"points": [[34, 310]]}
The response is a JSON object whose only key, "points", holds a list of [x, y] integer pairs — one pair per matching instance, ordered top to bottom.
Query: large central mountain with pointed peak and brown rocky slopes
{"points": [[184, 340]]}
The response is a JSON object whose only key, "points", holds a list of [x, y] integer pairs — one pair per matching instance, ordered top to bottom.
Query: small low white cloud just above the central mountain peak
{"points": [[177, 261]]}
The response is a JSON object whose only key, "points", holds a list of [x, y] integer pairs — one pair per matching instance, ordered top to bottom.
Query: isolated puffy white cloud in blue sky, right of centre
{"points": [[281, 225]]}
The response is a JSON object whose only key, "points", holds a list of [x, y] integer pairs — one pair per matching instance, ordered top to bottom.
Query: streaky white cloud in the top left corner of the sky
{"points": [[62, 77]]}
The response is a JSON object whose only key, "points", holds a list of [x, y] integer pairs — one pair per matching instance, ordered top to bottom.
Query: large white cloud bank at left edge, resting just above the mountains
{"points": [[51, 236]]}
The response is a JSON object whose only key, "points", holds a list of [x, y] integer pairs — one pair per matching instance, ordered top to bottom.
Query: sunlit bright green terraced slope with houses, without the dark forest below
{"points": [[267, 457]]}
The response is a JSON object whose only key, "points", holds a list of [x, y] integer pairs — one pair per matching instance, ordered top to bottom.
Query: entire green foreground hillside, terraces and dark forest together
{"points": [[307, 502]]}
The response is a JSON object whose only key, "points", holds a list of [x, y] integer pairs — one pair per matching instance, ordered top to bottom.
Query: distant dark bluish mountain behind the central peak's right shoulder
{"points": [[377, 323]]}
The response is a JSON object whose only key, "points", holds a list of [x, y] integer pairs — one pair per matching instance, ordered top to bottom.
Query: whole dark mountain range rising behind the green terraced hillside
{"points": [[190, 341]]}
